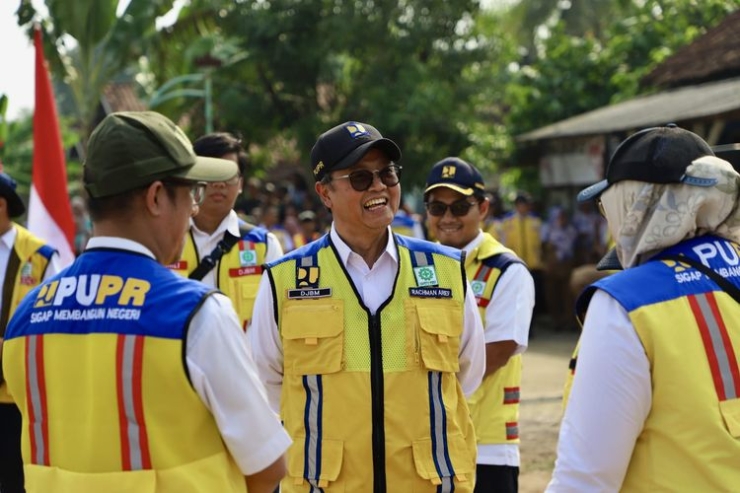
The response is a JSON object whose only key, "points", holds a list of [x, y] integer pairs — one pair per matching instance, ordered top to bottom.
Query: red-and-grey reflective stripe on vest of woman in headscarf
{"points": [[717, 344]]}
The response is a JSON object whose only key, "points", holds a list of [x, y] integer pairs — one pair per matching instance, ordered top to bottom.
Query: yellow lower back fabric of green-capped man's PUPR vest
{"points": [[186, 450]]}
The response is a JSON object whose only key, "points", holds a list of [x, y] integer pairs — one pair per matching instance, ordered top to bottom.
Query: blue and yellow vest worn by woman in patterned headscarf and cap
{"points": [[690, 330]]}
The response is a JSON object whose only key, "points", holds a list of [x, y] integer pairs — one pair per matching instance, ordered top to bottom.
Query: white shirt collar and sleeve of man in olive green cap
{"points": [[216, 352]]}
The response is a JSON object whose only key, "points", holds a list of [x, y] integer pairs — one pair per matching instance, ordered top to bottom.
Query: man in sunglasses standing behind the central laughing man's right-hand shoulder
{"points": [[456, 205]]}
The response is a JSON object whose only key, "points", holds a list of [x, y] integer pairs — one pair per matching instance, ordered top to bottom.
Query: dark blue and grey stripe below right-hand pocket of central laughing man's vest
{"points": [[438, 421]]}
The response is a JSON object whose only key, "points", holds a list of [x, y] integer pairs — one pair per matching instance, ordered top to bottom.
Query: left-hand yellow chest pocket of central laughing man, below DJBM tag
{"points": [[313, 336]]}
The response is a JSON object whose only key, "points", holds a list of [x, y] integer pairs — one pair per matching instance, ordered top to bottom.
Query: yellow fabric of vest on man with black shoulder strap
{"points": [[241, 289]]}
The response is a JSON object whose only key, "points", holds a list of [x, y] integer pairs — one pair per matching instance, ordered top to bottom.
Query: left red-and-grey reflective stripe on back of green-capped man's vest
{"points": [[36, 391]]}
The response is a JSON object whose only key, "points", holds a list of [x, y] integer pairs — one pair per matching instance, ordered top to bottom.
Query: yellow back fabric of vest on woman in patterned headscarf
{"points": [[689, 441]]}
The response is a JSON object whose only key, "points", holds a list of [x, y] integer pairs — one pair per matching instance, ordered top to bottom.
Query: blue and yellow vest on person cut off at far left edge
{"points": [[32, 257]]}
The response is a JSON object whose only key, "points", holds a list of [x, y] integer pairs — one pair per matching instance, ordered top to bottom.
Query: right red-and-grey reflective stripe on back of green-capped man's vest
{"points": [[134, 442]]}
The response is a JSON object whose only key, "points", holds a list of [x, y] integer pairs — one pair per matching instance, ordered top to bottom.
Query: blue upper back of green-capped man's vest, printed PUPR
{"points": [[110, 292]]}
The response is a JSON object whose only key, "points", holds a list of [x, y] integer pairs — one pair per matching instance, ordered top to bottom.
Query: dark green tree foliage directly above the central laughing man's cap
{"points": [[306, 65]]}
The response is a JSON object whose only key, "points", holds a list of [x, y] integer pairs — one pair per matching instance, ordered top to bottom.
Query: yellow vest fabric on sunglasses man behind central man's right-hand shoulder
{"points": [[487, 408]]}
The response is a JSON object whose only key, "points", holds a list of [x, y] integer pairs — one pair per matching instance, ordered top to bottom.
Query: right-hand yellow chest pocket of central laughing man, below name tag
{"points": [[440, 326]]}
